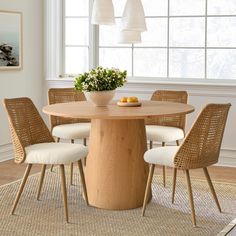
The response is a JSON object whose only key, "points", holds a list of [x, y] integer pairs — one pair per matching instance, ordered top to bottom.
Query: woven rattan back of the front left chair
{"points": [[26, 125]]}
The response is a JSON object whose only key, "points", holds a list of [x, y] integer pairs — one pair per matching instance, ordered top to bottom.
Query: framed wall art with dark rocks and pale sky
{"points": [[10, 40]]}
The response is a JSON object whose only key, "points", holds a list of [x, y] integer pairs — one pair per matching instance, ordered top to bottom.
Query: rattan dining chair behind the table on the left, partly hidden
{"points": [[68, 128]]}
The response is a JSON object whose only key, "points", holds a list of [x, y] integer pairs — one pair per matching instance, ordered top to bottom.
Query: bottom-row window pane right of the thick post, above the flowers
{"points": [[116, 57]]}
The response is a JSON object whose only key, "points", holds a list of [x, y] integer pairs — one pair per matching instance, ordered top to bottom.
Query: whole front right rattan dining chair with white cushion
{"points": [[200, 149]]}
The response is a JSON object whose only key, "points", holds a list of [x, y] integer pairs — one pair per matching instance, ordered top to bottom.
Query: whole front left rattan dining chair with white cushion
{"points": [[34, 144]]}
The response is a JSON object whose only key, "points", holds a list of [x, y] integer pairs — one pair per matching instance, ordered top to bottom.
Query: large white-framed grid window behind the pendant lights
{"points": [[187, 40]]}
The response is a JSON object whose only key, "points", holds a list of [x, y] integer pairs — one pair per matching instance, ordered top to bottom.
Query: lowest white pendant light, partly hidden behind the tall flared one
{"points": [[126, 36]]}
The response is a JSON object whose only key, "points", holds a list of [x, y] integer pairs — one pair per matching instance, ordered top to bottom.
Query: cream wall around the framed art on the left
{"points": [[28, 81]]}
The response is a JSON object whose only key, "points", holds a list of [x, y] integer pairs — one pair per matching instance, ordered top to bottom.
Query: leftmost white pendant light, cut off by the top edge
{"points": [[103, 12]]}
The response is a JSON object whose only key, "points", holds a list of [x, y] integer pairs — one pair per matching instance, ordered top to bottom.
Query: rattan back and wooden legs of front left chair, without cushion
{"points": [[28, 128]]}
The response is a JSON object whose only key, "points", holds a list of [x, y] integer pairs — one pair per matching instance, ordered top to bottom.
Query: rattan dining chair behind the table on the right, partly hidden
{"points": [[167, 129]]}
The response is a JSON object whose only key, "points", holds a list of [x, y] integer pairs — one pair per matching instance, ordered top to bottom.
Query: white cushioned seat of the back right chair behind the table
{"points": [[163, 133]]}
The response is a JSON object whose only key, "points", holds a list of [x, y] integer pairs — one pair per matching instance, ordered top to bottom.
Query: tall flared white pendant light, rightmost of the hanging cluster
{"points": [[133, 16]]}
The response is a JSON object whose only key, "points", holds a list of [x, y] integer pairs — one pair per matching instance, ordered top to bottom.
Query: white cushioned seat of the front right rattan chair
{"points": [[161, 155]]}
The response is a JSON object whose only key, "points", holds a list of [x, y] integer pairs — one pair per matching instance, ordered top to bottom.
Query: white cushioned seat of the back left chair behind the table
{"points": [[72, 131]]}
